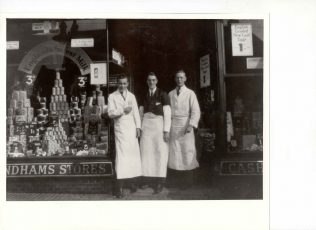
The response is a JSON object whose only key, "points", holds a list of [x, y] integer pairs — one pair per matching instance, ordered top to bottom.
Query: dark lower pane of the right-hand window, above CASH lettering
{"points": [[244, 116]]}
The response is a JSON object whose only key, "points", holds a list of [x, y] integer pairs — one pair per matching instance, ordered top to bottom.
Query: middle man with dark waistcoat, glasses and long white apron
{"points": [[156, 121]]}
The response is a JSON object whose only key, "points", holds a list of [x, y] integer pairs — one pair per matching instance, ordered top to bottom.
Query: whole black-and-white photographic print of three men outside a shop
{"points": [[135, 109]]}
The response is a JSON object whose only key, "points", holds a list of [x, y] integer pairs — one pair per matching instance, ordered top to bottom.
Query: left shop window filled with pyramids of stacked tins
{"points": [[53, 111]]}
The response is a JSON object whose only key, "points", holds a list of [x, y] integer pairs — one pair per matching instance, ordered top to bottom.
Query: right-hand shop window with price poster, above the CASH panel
{"points": [[243, 75]]}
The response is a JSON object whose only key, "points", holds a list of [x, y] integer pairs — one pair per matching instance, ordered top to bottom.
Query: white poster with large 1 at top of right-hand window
{"points": [[242, 39]]}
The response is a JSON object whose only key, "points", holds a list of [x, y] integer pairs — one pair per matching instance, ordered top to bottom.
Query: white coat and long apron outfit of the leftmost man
{"points": [[128, 162]]}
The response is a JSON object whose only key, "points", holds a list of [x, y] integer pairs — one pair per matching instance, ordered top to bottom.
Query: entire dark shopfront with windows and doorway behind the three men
{"points": [[60, 72]]}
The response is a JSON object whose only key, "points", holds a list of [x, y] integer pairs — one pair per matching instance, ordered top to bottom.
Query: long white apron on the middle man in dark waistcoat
{"points": [[154, 150]]}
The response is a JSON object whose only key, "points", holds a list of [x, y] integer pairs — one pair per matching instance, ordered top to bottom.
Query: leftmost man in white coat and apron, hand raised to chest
{"points": [[122, 107]]}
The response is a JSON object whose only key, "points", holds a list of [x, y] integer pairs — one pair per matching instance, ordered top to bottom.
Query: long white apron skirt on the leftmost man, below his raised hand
{"points": [[128, 163]]}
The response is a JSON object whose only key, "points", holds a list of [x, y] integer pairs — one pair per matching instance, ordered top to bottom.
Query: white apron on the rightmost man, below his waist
{"points": [[182, 151]]}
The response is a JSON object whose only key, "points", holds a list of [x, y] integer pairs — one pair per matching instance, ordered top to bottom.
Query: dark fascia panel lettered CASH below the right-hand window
{"points": [[241, 168]]}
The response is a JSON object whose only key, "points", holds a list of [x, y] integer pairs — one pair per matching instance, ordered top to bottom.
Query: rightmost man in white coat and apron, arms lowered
{"points": [[185, 117]]}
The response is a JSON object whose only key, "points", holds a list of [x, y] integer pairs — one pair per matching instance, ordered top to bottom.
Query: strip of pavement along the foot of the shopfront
{"points": [[205, 187]]}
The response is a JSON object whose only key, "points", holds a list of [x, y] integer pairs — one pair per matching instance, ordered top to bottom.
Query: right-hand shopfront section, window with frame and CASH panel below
{"points": [[240, 58]]}
